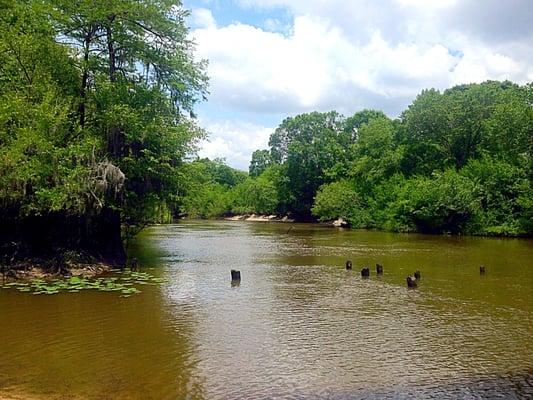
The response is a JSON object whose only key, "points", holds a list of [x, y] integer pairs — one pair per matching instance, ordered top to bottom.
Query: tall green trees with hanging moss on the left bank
{"points": [[96, 119]]}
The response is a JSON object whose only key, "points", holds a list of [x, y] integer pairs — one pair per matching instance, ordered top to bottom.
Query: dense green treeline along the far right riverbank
{"points": [[457, 161]]}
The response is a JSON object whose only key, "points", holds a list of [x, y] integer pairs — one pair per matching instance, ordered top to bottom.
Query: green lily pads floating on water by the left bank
{"points": [[124, 283]]}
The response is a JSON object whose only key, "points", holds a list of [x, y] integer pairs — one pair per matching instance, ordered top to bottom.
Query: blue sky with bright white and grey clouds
{"points": [[272, 59]]}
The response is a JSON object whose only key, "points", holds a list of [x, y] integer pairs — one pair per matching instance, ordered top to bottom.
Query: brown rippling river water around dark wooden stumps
{"points": [[299, 325]]}
